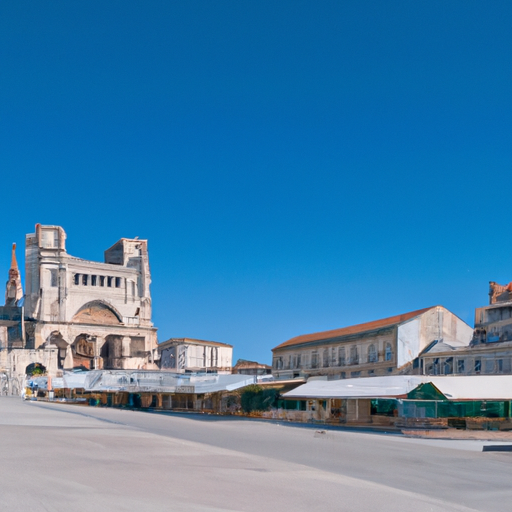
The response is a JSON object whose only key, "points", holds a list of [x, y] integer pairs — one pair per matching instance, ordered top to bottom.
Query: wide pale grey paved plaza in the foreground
{"points": [[62, 458]]}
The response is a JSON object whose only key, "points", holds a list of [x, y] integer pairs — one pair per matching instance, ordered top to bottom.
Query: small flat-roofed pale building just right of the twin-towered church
{"points": [[191, 355]]}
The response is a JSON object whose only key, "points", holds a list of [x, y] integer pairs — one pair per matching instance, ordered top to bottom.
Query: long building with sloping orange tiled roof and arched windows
{"points": [[381, 347]]}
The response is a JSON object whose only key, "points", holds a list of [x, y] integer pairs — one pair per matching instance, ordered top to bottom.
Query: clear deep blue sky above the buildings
{"points": [[296, 166]]}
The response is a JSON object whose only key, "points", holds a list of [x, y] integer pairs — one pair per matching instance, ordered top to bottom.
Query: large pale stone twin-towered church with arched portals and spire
{"points": [[77, 312]]}
